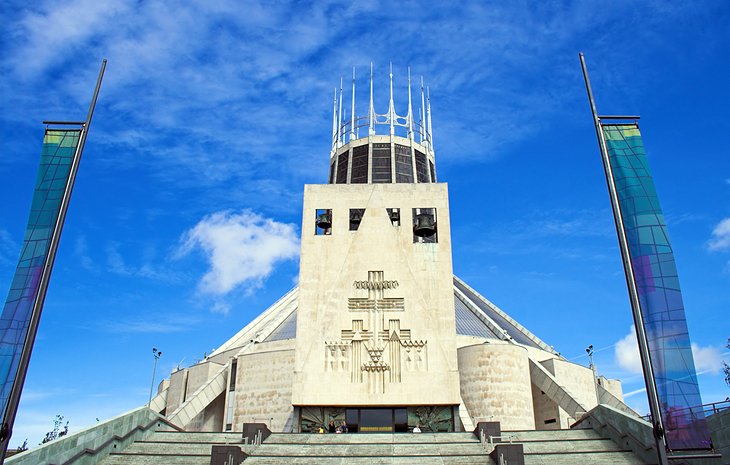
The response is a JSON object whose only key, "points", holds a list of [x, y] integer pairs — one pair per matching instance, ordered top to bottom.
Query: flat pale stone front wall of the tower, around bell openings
{"points": [[420, 367]]}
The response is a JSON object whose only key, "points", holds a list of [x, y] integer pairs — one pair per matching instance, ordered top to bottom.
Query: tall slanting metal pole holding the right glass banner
{"points": [[646, 365]]}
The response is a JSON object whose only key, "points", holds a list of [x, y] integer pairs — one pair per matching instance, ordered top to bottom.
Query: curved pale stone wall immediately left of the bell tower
{"points": [[264, 388]]}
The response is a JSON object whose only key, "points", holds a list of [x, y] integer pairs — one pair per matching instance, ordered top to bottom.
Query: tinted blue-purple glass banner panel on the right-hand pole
{"points": [[657, 284]]}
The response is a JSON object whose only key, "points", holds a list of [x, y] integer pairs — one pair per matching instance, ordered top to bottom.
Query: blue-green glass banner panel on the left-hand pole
{"points": [[58, 151]]}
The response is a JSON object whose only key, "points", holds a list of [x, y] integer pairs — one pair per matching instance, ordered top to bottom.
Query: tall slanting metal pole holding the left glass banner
{"points": [[14, 399]]}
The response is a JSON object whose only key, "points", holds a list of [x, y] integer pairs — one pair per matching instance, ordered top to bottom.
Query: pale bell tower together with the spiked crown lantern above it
{"points": [[375, 325]]}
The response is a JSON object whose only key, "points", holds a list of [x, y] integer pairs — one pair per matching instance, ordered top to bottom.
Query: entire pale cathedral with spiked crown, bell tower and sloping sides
{"points": [[380, 334]]}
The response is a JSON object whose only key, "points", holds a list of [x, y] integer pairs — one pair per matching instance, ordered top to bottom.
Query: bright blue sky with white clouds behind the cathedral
{"points": [[185, 219]]}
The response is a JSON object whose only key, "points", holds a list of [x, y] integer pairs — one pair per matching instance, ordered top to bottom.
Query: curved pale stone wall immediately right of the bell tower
{"points": [[495, 385]]}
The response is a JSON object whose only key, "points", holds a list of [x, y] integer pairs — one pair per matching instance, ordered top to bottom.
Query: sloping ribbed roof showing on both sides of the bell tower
{"points": [[475, 316]]}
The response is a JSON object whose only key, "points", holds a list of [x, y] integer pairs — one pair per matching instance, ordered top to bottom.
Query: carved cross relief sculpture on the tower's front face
{"points": [[375, 344]]}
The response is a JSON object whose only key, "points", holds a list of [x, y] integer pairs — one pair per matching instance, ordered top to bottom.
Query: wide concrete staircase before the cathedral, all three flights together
{"points": [[561, 447]]}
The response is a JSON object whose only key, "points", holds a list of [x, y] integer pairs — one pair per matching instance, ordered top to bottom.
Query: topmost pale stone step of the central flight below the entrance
{"points": [[370, 438]]}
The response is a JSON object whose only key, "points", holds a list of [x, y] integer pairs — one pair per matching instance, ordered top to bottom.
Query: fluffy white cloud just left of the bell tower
{"points": [[241, 249]]}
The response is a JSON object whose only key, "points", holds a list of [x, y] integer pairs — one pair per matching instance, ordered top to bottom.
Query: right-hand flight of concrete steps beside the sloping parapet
{"points": [[570, 447]]}
